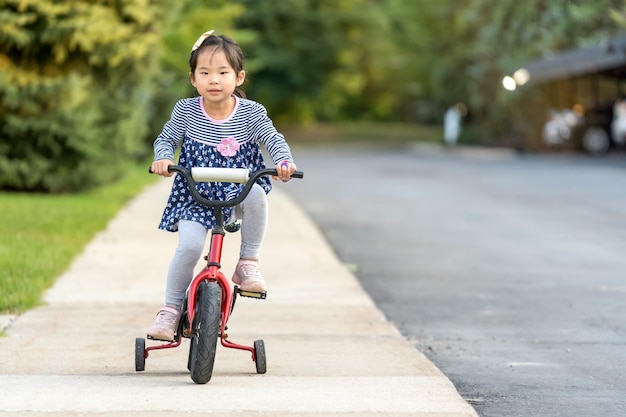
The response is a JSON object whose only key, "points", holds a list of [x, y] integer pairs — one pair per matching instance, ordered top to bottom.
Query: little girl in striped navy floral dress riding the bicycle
{"points": [[220, 128]]}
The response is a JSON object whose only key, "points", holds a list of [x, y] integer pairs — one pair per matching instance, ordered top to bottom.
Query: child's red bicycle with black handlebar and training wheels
{"points": [[210, 300]]}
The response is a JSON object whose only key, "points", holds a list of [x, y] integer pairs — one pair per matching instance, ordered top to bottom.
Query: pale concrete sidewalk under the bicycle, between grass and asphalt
{"points": [[330, 351]]}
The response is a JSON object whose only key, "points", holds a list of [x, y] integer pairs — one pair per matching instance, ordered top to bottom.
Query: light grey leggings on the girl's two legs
{"points": [[253, 212]]}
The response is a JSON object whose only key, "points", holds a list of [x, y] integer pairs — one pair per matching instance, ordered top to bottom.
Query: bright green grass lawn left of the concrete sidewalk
{"points": [[42, 234]]}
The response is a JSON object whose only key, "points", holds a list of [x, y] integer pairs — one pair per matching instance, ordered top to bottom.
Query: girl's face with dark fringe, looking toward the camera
{"points": [[214, 78]]}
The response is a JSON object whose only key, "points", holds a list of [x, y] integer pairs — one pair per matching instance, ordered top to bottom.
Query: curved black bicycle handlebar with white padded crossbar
{"points": [[223, 175]]}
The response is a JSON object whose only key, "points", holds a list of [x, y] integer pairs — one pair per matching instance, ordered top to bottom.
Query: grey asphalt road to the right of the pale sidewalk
{"points": [[507, 271]]}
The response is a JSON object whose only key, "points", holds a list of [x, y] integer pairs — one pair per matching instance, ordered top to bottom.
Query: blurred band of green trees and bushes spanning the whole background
{"points": [[85, 85]]}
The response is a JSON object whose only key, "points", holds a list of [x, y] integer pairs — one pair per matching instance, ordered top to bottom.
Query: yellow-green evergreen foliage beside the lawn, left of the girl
{"points": [[75, 82]]}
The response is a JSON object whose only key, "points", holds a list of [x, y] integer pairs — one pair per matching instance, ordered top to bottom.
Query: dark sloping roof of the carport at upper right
{"points": [[608, 58]]}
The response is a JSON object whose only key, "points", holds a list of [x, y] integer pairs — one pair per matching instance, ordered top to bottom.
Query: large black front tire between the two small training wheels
{"points": [[206, 331]]}
